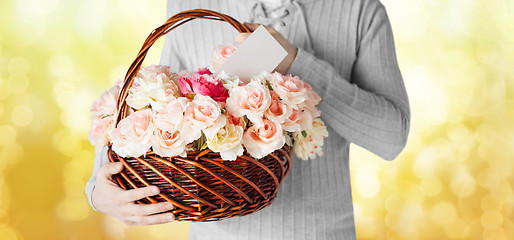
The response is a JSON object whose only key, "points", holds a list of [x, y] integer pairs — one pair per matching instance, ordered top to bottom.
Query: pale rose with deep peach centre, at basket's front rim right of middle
{"points": [[262, 140]]}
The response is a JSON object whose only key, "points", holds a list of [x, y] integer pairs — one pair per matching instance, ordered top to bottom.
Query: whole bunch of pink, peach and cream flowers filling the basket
{"points": [[173, 113]]}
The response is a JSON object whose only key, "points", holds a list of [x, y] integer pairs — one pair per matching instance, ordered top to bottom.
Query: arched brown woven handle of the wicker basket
{"points": [[172, 23]]}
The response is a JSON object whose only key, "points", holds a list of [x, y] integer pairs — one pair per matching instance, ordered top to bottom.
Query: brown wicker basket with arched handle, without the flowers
{"points": [[202, 186]]}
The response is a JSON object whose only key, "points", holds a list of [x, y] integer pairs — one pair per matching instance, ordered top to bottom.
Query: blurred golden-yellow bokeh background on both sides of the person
{"points": [[454, 180]]}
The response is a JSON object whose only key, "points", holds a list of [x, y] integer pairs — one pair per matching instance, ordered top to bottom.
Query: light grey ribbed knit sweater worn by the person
{"points": [[346, 52]]}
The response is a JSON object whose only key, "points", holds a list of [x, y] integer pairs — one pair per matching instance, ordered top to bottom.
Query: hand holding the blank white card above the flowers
{"points": [[283, 67]]}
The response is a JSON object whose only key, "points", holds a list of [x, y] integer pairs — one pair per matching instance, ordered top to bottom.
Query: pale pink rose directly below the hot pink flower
{"points": [[202, 114]]}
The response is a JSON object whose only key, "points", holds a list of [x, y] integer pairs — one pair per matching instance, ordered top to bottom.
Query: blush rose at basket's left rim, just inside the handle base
{"points": [[131, 138]]}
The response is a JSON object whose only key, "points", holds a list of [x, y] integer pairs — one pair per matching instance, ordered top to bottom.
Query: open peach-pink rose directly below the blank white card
{"points": [[251, 100]]}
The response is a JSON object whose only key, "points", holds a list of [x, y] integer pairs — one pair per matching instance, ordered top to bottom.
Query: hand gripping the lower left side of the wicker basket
{"points": [[109, 198]]}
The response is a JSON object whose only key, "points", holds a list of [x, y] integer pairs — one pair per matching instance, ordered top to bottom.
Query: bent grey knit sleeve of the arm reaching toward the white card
{"points": [[372, 109]]}
